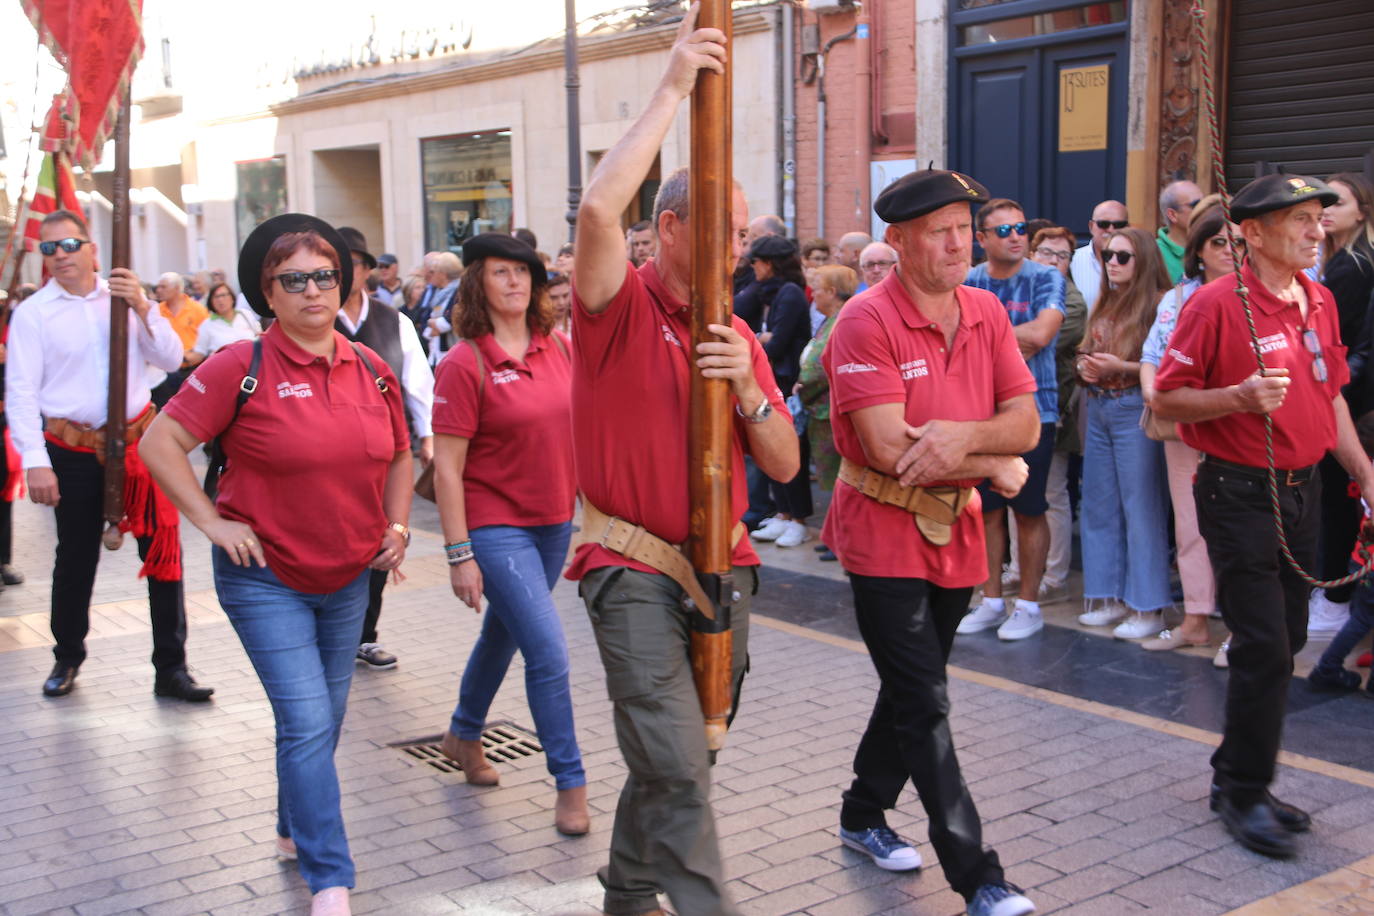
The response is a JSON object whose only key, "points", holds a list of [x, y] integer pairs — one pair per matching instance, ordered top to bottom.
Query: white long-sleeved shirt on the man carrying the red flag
{"points": [[58, 363]]}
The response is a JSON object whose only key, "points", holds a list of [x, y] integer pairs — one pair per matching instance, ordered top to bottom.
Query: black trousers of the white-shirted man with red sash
{"points": [[80, 523]]}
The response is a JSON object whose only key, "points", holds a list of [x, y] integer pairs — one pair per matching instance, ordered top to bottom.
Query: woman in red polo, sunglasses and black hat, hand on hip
{"points": [[296, 599]]}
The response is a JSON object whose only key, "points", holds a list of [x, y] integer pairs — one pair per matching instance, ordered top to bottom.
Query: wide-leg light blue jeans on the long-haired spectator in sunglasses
{"points": [[1125, 514]]}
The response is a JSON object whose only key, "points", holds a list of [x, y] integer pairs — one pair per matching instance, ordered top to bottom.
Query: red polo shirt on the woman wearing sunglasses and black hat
{"points": [[307, 457]]}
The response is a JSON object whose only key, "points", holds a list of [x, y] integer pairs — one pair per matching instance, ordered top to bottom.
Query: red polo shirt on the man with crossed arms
{"points": [[884, 351]]}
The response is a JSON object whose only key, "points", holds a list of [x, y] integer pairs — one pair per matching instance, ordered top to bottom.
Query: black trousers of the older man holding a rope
{"points": [[1265, 606]]}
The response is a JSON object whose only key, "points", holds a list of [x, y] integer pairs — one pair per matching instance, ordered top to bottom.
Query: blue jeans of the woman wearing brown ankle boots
{"points": [[520, 566]]}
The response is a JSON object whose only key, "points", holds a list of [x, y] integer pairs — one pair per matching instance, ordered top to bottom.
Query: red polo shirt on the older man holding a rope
{"points": [[1211, 348]]}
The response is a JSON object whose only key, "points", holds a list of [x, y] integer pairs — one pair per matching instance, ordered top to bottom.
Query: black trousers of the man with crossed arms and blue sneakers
{"points": [[909, 628]]}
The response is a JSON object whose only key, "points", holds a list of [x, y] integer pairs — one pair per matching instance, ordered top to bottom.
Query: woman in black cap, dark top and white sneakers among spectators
{"points": [[787, 330]]}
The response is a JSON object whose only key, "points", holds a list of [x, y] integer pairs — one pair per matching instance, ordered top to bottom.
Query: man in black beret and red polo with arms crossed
{"points": [[930, 396]]}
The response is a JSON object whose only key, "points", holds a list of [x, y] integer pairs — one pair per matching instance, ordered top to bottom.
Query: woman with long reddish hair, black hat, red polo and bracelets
{"points": [[505, 485]]}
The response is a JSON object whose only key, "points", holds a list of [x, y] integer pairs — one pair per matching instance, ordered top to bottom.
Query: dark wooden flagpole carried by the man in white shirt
{"points": [[117, 415]]}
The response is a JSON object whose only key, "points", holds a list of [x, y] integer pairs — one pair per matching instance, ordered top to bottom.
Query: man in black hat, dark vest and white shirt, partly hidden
{"points": [[387, 332]]}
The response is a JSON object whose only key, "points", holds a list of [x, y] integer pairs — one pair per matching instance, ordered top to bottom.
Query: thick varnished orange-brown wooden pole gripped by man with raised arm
{"points": [[710, 439]]}
